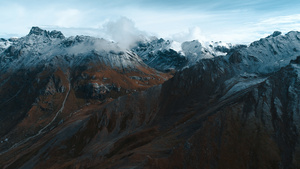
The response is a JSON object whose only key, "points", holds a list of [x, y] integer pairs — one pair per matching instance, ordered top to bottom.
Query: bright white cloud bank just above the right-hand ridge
{"points": [[251, 31]]}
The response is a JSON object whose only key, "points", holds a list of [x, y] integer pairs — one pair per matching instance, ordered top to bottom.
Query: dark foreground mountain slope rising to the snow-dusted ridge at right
{"points": [[240, 110]]}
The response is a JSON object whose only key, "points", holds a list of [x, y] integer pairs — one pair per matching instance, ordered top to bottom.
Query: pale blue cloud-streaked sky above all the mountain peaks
{"points": [[233, 21]]}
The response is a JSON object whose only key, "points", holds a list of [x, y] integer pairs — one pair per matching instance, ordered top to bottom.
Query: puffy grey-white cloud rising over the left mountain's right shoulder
{"points": [[124, 32]]}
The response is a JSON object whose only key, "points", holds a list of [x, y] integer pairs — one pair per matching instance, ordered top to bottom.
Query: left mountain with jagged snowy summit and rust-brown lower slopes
{"points": [[45, 77]]}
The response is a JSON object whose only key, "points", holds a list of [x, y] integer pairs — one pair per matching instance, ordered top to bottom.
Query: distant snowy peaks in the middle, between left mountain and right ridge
{"points": [[166, 54]]}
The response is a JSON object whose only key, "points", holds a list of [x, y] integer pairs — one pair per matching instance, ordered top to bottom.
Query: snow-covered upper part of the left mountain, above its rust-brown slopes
{"points": [[42, 47]]}
